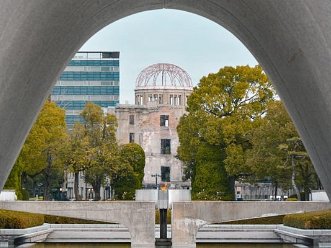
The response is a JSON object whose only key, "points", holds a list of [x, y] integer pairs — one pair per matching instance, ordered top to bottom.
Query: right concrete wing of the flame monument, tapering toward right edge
{"points": [[188, 217]]}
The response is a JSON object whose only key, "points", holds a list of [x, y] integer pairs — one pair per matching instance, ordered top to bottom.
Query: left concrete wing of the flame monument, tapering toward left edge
{"points": [[138, 217]]}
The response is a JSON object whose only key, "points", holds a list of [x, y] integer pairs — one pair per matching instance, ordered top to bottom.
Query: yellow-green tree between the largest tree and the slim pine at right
{"points": [[265, 159]]}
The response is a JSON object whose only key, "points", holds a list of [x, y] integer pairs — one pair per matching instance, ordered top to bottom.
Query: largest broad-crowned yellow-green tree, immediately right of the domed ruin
{"points": [[222, 110]]}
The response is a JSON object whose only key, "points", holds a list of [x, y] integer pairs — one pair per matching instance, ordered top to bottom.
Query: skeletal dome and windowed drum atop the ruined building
{"points": [[163, 84]]}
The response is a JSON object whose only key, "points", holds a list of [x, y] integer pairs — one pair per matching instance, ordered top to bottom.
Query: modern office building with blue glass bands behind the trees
{"points": [[89, 77]]}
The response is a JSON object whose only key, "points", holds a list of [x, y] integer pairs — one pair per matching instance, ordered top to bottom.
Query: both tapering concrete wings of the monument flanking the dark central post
{"points": [[187, 217]]}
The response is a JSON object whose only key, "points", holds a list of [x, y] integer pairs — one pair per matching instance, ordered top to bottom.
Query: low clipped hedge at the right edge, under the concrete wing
{"points": [[309, 220]]}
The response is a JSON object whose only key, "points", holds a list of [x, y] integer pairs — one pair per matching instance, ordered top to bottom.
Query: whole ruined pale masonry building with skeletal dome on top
{"points": [[160, 100]]}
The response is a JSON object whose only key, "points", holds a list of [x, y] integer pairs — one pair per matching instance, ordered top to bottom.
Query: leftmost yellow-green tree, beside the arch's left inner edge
{"points": [[39, 157]]}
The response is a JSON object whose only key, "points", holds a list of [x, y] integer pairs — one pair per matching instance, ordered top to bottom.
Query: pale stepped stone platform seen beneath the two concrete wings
{"points": [[115, 233]]}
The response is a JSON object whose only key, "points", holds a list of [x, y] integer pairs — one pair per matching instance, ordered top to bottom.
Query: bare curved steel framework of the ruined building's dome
{"points": [[163, 74]]}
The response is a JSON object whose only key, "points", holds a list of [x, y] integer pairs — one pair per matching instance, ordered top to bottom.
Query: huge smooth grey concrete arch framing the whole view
{"points": [[291, 40]]}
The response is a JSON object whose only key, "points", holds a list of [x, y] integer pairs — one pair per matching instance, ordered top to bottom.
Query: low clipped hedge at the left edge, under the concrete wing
{"points": [[19, 220]]}
